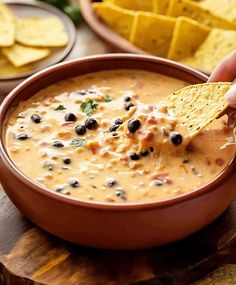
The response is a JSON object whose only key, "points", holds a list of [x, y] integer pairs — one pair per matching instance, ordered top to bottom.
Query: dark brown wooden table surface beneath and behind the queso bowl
{"points": [[28, 255]]}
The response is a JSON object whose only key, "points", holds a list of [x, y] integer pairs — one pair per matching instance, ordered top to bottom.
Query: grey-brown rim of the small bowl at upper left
{"points": [[65, 50]]}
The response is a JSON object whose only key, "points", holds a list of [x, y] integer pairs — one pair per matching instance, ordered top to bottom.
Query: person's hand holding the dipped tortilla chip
{"points": [[226, 71]]}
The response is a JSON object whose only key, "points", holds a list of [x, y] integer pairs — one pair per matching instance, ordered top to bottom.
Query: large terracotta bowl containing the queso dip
{"points": [[115, 226]]}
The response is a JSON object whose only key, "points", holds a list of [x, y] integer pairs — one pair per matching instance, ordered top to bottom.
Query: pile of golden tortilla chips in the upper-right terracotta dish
{"points": [[197, 33]]}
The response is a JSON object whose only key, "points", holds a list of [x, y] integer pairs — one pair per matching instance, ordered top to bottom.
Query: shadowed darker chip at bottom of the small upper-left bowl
{"points": [[8, 69]]}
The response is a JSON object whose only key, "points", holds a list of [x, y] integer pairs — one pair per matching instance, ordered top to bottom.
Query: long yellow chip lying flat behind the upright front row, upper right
{"points": [[195, 11]]}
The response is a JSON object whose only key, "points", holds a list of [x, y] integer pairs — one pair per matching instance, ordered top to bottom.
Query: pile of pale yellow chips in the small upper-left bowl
{"points": [[27, 40]]}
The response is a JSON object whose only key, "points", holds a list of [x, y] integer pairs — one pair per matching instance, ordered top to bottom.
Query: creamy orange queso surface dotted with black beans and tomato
{"points": [[104, 137]]}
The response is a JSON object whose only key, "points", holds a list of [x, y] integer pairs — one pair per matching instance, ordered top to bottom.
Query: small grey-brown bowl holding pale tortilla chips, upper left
{"points": [[32, 36]]}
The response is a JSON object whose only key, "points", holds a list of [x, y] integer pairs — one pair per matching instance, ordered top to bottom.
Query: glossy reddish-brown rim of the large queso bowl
{"points": [[7, 162]]}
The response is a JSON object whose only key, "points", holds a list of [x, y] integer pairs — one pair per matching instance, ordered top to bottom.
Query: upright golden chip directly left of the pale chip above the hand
{"points": [[187, 37]]}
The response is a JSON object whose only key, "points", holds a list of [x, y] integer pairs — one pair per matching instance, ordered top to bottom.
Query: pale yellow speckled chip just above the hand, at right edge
{"points": [[218, 44]]}
